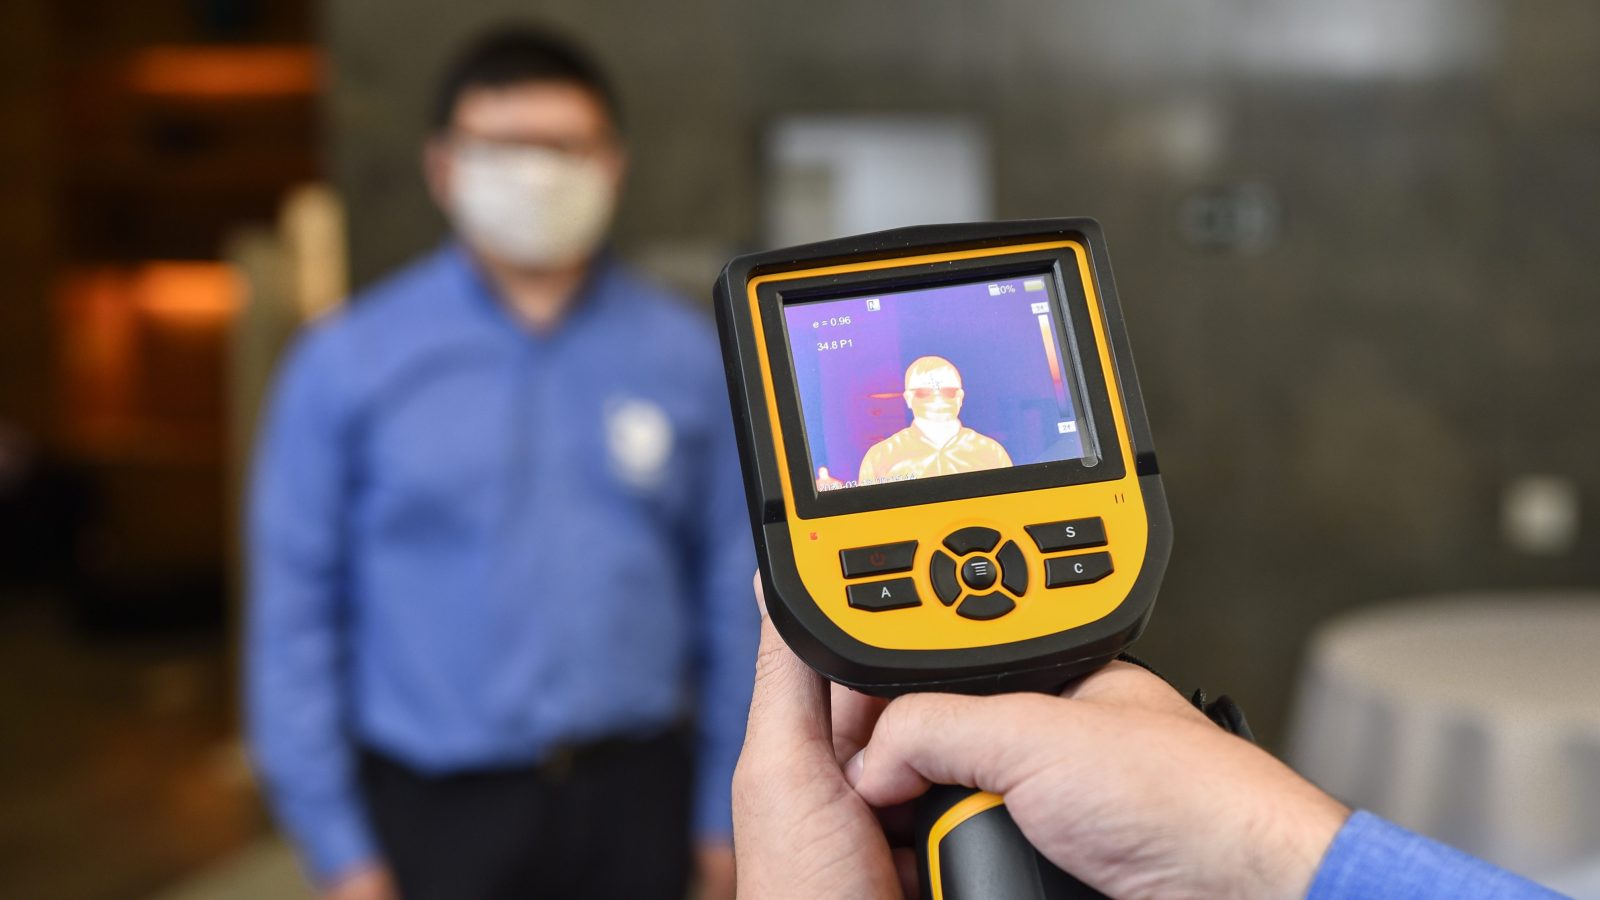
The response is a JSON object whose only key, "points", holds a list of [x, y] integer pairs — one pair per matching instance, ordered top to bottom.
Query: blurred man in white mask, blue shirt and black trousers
{"points": [[500, 553]]}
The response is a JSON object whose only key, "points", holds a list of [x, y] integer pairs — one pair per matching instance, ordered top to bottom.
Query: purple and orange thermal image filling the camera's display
{"points": [[934, 382]]}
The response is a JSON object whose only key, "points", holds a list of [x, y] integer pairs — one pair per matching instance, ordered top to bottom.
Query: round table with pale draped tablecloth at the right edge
{"points": [[1473, 720]]}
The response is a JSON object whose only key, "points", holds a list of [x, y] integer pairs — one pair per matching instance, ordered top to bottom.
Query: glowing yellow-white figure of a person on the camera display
{"points": [[935, 443]]}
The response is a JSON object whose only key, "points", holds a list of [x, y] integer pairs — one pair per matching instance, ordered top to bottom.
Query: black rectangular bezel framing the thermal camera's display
{"points": [[1081, 353]]}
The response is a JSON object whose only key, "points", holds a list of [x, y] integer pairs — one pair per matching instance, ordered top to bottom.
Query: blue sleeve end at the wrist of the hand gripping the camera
{"points": [[1374, 859]]}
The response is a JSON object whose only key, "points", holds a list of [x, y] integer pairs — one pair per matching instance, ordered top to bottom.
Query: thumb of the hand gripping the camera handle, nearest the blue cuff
{"points": [[946, 739]]}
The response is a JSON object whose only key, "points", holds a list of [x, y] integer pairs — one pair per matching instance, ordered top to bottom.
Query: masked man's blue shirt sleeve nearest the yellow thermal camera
{"points": [[729, 627]]}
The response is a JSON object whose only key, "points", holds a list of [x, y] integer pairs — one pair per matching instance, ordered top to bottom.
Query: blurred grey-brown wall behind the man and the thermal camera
{"points": [[1337, 406]]}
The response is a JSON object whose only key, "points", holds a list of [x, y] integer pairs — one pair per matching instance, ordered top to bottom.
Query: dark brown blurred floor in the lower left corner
{"points": [[119, 768]]}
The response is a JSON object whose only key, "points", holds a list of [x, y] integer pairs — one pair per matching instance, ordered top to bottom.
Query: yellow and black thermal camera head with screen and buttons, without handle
{"points": [[948, 464]]}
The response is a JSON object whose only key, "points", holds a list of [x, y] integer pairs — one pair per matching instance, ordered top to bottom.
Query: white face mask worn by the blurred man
{"points": [[530, 206]]}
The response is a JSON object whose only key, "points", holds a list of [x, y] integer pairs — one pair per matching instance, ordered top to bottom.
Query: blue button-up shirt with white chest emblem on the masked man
{"points": [[471, 544]]}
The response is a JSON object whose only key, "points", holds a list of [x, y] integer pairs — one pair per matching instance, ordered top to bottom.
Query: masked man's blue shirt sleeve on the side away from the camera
{"points": [[295, 678]]}
